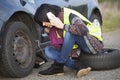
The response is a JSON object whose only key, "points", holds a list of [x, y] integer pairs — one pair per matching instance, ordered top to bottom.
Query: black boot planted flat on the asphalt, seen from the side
{"points": [[54, 69]]}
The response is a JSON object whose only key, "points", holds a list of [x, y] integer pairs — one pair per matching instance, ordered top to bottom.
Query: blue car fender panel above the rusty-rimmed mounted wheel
{"points": [[8, 8]]}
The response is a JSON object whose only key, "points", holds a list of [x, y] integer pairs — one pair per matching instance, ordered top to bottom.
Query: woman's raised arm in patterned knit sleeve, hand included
{"points": [[76, 27]]}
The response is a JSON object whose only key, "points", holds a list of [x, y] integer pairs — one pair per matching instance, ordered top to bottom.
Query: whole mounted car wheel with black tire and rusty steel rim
{"points": [[18, 51]]}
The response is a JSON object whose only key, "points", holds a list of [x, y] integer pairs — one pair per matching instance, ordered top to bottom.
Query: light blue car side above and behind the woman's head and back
{"points": [[85, 7]]}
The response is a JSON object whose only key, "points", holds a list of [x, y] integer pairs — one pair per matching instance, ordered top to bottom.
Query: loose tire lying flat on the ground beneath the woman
{"points": [[107, 59]]}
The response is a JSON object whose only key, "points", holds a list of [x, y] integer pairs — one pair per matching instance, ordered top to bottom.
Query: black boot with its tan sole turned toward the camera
{"points": [[81, 70]]}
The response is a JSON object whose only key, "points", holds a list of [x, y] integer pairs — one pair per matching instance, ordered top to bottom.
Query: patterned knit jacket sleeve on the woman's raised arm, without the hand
{"points": [[76, 27]]}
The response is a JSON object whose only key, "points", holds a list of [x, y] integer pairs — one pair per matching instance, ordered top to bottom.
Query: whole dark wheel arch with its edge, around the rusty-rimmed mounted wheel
{"points": [[27, 19]]}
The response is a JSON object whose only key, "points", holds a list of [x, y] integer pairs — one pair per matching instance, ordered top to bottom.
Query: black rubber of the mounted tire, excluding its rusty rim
{"points": [[8, 67]]}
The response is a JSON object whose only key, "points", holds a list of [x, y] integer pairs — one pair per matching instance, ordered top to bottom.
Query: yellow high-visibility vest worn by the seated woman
{"points": [[94, 30]]}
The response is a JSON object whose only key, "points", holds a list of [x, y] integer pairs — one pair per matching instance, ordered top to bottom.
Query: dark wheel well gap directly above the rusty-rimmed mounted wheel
{"points": [[26, 18]]}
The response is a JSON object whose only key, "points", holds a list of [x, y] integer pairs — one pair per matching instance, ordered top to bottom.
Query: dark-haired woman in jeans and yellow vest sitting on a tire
{"points": [[76, 33]]}
